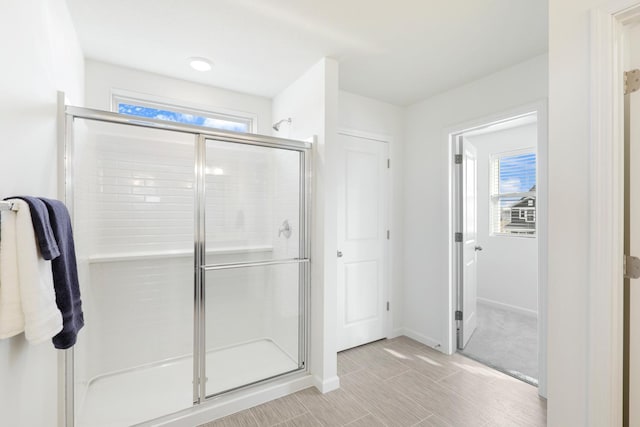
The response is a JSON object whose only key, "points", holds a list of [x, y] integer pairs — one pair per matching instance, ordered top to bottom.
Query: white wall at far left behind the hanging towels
{"points": [[41, 56]]}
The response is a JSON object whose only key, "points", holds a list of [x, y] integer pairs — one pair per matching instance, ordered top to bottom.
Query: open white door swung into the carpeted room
{"points": [[469, 233]]}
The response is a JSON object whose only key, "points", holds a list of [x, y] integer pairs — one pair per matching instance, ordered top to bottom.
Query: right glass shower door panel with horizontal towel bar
{"points": [[254, 264]]}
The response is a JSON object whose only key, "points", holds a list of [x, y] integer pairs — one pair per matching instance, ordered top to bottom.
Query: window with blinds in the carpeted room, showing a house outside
{"points": [[513, 194]]}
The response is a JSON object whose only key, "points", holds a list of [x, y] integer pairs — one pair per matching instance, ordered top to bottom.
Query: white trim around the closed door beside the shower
{"points": [[387, 291]]}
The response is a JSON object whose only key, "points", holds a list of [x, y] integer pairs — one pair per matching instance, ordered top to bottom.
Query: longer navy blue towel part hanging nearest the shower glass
{"points": [[65, 276]]}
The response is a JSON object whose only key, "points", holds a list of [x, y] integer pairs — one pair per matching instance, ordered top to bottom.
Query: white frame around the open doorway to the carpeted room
{"points": [[451, 136]]}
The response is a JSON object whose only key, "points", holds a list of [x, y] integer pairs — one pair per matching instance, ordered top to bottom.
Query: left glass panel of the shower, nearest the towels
{"points": [[133, 208]]}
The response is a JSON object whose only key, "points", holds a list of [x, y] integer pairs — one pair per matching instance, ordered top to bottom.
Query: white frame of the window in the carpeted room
{"points": [[495, 196]]}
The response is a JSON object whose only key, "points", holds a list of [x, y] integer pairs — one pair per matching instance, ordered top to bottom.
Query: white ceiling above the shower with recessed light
{"points": [[399, 51]]}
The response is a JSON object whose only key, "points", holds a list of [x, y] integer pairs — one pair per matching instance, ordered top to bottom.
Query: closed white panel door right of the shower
{"points": [[362, 237]]}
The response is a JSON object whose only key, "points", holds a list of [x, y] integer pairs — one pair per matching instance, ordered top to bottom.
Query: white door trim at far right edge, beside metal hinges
{"points": [[605, 352]]}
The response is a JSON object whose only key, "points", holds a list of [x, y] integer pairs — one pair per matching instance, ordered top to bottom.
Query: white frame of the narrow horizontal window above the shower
{"points": [[150, 101]]}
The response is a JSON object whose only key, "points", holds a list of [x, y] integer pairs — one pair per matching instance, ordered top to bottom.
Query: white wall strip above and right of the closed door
{"points": [[374, 118]]}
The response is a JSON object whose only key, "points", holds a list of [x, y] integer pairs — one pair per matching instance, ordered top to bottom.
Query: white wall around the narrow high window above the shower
{"points": [[102, 78]]}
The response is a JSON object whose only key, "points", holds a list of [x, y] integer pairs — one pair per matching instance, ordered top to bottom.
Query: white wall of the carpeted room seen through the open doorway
{"points": [[507, 265]]}
